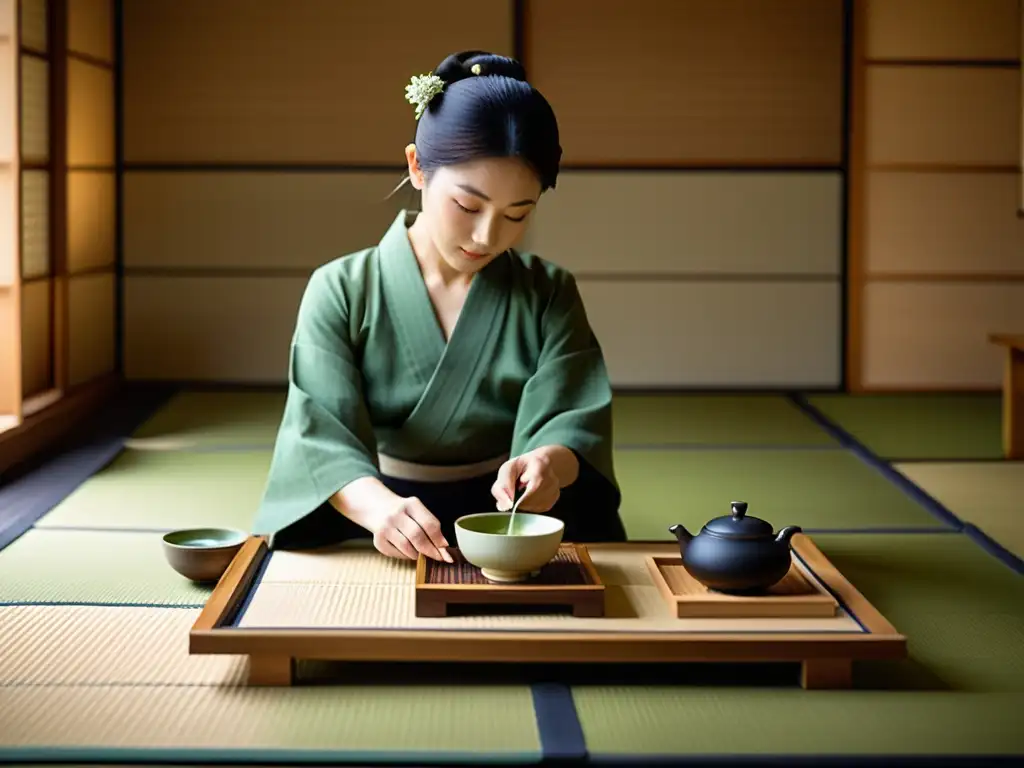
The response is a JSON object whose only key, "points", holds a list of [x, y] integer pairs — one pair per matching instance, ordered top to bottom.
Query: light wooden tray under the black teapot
{"points": [[795, 598]]}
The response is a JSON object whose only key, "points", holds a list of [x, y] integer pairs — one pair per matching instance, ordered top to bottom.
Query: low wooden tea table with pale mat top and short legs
{"points": [[357, 606]]}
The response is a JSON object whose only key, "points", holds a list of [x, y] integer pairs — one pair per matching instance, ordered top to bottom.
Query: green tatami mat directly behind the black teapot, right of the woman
{"points": [[812, 489]]}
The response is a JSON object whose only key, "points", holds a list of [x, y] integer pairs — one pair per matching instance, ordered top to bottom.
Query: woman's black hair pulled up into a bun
{"points": [[488, 110]]}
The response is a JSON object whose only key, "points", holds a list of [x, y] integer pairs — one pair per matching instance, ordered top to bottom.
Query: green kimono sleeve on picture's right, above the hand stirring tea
{"points": [[568, 401]]}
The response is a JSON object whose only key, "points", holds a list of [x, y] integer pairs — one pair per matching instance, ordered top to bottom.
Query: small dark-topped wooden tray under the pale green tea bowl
{"points": [[569, 580]]}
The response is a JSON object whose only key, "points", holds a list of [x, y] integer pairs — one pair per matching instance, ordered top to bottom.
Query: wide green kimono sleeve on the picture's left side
{"points": [[326, 438]]}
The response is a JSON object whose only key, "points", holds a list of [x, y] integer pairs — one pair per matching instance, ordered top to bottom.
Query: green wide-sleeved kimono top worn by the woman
{"points": [[370, 373]]}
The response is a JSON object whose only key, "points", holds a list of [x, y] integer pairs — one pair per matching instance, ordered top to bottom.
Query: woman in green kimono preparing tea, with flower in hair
{"points": [[441, 372]]}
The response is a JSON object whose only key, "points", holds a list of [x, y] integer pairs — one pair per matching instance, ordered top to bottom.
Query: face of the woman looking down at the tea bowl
{"points": [[477, 211]]}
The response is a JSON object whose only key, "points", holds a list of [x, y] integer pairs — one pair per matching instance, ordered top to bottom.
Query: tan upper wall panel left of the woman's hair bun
{"points": [[262, 81]]}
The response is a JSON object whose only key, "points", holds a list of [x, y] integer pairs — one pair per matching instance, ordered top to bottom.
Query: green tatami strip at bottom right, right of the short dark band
{"points": [[698, 721]]}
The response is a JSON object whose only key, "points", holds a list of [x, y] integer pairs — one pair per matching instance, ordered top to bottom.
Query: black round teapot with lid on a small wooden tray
{"points": [[737, 554]]}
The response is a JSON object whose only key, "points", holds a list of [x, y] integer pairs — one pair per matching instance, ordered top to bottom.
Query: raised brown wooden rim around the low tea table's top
{"points": [[211, 632]]}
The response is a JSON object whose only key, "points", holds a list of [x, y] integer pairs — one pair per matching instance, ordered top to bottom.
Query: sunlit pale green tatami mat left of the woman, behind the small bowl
{"points": [[166, 491]]}
